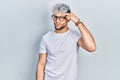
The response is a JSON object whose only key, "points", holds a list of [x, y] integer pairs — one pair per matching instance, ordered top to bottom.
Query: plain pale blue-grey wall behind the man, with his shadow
{"points": [[23, 22]]}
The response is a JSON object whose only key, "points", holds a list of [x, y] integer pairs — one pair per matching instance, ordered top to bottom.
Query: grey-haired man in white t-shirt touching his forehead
{"points": [[59, 48]]}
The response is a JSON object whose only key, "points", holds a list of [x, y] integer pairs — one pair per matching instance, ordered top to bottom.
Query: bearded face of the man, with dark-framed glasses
{"points": [[60, 21]]}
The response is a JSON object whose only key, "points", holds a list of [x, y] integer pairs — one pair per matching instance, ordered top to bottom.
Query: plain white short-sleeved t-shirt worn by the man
{"points": [[62, 52]]}
